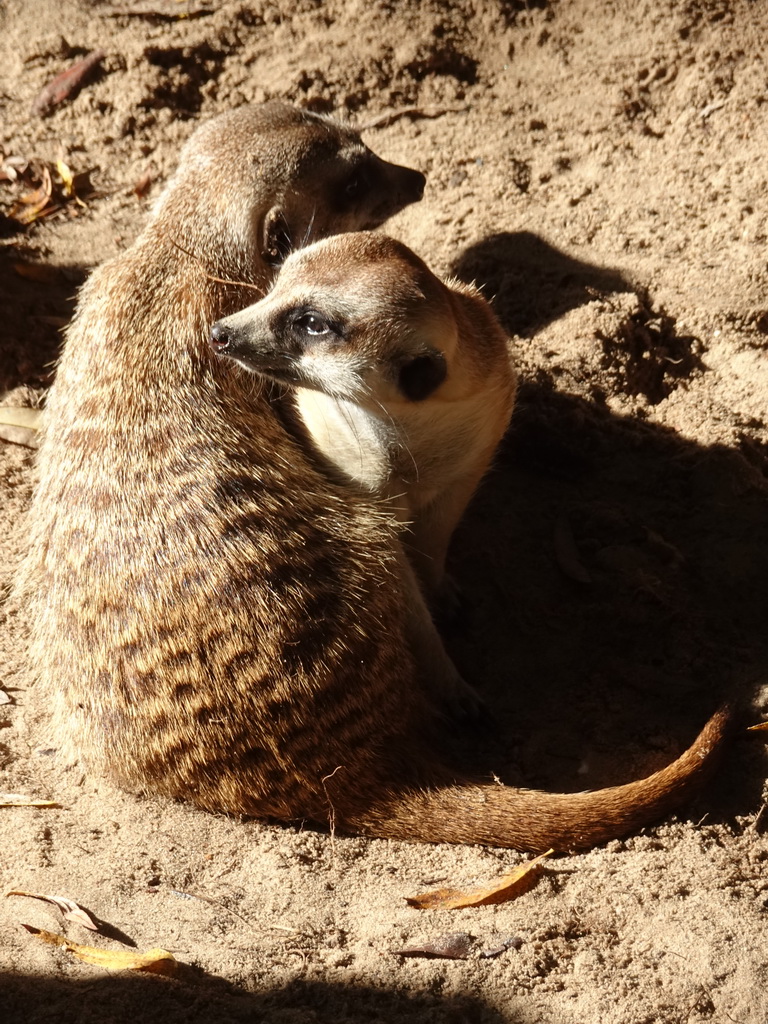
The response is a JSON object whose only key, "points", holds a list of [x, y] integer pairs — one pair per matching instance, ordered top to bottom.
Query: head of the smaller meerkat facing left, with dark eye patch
{"points": [[358, 317]]}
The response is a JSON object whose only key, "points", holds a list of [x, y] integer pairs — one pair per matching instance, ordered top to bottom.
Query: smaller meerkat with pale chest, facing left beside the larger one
{"points": [[403, 381]]}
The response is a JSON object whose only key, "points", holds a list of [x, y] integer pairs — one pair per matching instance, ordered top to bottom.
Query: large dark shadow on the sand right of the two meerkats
{"points": [[616, 574]]}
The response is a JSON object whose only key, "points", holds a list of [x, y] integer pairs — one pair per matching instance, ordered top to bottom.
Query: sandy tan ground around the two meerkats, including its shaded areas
{"points": [[600, 167]]}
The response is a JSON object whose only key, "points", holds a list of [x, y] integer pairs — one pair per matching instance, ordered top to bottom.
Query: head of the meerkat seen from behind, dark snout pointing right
{"points": [[285, 178]]}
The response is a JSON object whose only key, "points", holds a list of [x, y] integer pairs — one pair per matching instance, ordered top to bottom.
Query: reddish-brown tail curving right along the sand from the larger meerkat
{"points": [[532, 821]]}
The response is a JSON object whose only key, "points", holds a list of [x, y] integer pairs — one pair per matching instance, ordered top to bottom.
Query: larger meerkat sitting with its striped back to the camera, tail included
{"points": [[216, 619]]}
